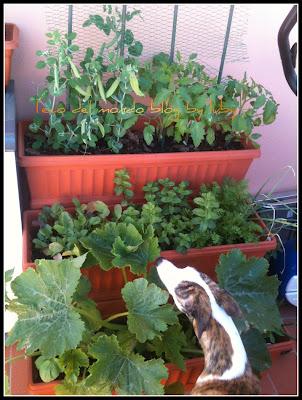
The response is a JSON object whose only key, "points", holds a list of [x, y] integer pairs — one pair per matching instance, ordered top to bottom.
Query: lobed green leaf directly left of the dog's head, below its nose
{"points": [[149, 315]]}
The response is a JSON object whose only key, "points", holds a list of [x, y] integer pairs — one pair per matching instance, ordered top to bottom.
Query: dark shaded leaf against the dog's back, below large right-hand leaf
{"points": [[256, 350]]}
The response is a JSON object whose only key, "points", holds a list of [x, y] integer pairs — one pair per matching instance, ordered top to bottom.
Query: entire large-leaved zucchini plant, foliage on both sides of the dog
{"points": [[126, 352]]}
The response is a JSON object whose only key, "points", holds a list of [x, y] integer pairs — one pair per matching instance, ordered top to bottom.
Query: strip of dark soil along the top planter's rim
{"points": [[133, 143]]}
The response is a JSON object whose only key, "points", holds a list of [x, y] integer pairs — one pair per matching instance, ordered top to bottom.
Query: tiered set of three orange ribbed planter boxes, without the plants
{"points": [[59, 178]]}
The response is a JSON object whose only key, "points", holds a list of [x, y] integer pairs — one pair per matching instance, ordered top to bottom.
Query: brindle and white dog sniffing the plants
{"points": [[227, 370]]}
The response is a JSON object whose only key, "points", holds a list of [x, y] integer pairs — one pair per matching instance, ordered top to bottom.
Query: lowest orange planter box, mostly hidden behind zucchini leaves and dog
{"points": [[21, 372]]}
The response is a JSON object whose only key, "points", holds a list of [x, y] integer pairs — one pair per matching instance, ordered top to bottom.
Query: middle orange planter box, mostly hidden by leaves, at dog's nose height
{"points": [[107, 285]]}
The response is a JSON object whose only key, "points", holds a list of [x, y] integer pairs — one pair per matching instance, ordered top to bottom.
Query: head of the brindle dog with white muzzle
{"points": [[196, 295]]}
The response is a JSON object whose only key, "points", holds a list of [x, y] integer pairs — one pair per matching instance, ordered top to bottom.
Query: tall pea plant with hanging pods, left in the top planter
{"points": [[86, 125]]}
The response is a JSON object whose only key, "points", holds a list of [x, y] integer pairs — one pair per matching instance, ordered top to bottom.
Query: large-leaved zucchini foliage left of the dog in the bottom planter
{"points": [[95, 355]]}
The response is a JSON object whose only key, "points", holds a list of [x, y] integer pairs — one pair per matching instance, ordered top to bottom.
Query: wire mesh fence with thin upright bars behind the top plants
{"points": [[199, 28]]}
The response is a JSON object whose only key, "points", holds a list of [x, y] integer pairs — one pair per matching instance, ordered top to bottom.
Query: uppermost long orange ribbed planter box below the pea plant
{"points": [[59, 178]]}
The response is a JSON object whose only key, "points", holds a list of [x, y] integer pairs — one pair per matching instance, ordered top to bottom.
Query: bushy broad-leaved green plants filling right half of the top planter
{"points": [[196, 109]]}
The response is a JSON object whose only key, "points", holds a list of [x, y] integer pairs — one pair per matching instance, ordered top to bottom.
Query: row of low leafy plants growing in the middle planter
{"points": [[221, 214]]}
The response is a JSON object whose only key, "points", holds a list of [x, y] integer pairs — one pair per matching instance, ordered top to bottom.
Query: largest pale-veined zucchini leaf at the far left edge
{"points": [[44, 307]]}
